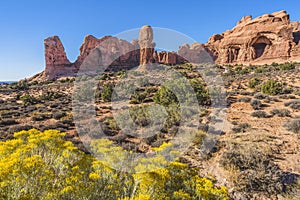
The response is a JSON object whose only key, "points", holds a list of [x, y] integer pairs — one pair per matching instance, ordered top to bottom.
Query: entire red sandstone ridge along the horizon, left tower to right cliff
{"points": [[263, 40]]}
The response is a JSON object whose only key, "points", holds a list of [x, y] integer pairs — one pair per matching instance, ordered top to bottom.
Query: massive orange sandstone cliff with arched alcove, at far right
{"points": [[265, 39]]}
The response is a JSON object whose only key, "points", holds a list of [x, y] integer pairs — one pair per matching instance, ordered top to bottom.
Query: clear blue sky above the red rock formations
{"points": [[25, 24]]}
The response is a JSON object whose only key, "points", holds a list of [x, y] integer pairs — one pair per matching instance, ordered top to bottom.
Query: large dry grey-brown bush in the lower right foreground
{"points": [[256, 171]]}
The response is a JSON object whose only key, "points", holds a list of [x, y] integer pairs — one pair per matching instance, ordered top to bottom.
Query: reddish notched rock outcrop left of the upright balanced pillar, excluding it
{"points": [[115, 53]]}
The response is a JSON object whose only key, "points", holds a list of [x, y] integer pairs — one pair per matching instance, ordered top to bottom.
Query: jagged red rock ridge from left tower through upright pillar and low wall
{"points": [[125, 54]]}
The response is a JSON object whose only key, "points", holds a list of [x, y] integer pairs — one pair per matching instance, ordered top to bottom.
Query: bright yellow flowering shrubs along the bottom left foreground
{"points": [[41, 165]]}
